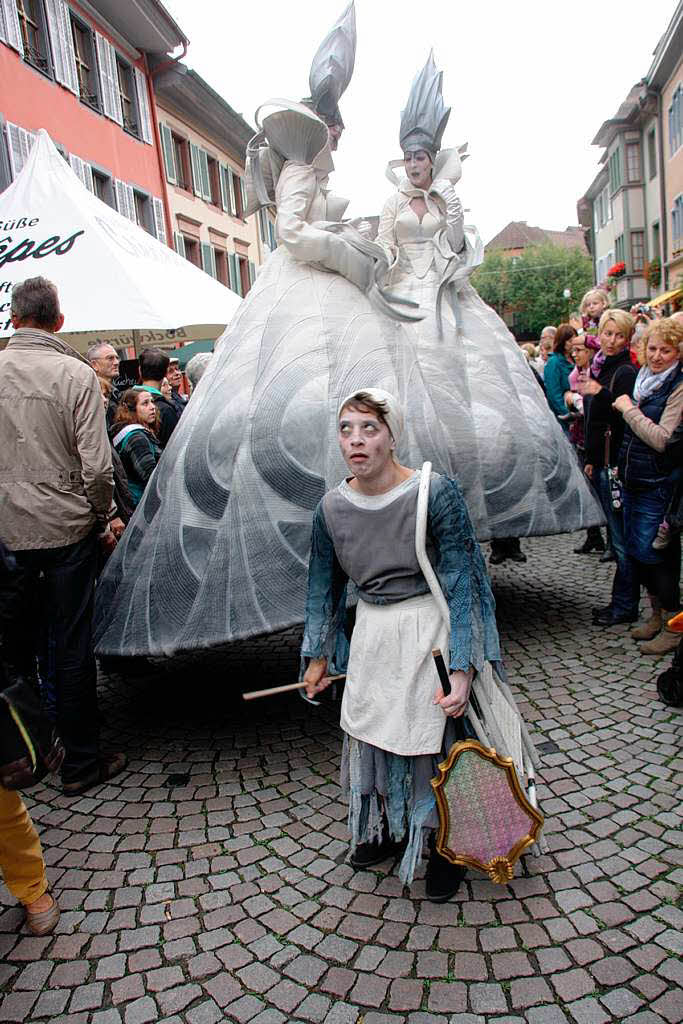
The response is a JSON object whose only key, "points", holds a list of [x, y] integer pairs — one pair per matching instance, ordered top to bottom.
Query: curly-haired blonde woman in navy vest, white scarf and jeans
{"points": [[649, 484]]}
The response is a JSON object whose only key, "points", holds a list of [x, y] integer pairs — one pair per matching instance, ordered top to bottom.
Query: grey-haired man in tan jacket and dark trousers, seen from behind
{"points": [[56, 504]]}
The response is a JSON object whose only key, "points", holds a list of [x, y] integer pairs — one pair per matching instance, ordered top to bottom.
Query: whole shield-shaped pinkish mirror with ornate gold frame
{"points": [[486, 822]]}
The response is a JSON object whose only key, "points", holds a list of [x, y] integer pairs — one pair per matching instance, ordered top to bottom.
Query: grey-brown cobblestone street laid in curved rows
{"points": [[209, 883]]}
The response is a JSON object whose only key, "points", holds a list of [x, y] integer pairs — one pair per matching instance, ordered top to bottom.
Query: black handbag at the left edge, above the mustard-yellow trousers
{"points": [[30, 748]]}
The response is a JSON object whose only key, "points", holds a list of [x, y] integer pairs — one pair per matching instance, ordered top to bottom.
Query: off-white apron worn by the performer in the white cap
{"points": [[392, 678]]}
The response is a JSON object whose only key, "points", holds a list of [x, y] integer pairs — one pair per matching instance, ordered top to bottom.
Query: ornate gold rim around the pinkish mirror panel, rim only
{"points": [[500, 868]]}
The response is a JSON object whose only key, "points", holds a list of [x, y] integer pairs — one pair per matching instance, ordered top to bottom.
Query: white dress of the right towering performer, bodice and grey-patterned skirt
{"points": [[520, 475]]}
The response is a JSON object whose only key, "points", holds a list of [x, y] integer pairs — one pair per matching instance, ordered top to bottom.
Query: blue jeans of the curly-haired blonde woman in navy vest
{"points": [[645, 508]]}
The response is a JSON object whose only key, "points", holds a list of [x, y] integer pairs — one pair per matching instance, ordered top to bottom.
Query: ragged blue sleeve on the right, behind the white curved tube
{"points": [[463, 576]]}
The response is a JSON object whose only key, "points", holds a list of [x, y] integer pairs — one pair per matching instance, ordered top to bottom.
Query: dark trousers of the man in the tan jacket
{"points": [[59, 585]]}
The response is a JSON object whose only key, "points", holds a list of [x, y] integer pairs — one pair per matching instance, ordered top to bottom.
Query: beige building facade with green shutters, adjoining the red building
{"points": [[204, 145]]}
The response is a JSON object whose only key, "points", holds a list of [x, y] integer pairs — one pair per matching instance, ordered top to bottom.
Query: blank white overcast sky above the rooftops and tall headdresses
{"points": [[529, 83]]}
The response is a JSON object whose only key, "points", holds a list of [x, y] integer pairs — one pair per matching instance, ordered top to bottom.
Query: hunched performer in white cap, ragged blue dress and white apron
{"points": [[398, 723]]}
